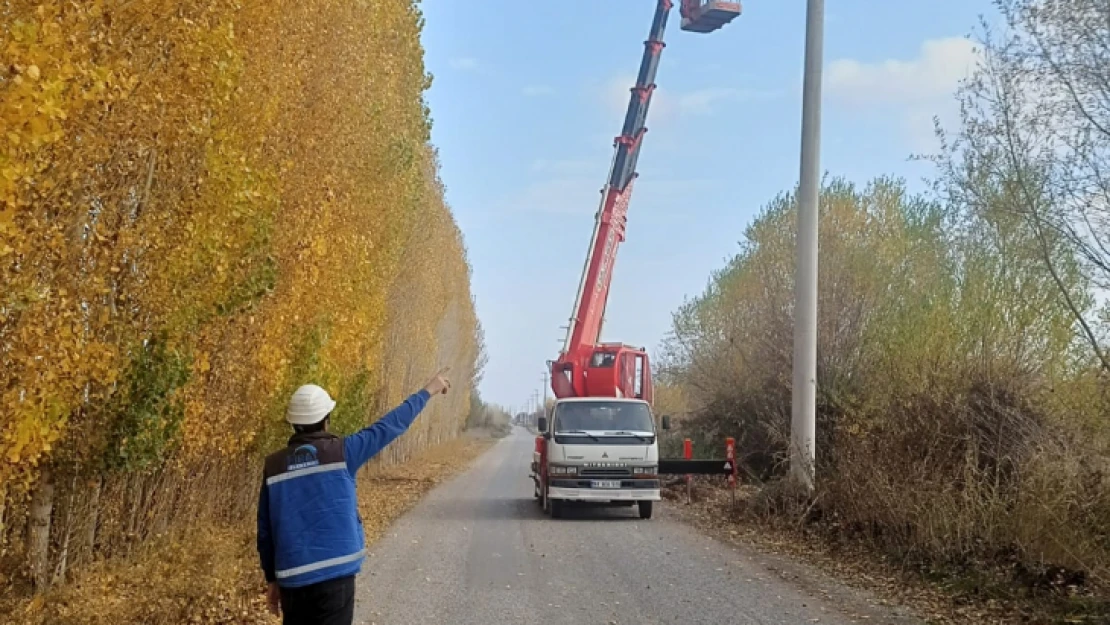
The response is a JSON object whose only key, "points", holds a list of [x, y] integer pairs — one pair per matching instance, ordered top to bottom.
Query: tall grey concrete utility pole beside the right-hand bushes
{"points": [[804, 409]]}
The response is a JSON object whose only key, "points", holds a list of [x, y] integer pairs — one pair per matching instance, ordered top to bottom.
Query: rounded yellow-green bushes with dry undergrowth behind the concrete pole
{"points": [[961, 418]]}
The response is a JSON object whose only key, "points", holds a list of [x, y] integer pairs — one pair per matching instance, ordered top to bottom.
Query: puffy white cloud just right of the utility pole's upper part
{"points": [[934, 75]]}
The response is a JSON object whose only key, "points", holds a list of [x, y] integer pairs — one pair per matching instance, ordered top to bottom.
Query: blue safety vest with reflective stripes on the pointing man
{"points": [[317, 532]]}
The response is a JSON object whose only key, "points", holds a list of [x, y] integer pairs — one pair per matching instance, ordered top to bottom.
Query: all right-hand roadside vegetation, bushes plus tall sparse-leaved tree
{"points": [[964, 417]]}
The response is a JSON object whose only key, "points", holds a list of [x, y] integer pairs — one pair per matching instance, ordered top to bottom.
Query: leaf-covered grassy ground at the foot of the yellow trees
{"points": [[209, 574]]}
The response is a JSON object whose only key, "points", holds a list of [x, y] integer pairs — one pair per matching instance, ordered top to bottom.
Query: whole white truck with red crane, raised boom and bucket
{"points": [[601, 445]]}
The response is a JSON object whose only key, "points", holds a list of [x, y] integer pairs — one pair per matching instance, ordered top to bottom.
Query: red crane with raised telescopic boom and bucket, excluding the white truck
{"points": [[588, 368]]}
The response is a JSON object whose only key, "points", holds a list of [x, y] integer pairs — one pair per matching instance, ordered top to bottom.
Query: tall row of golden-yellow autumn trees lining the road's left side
{"points": [[203, 206]]}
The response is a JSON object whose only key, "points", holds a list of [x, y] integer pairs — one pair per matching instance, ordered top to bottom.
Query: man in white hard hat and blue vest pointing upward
{"points": [[310, 532]]}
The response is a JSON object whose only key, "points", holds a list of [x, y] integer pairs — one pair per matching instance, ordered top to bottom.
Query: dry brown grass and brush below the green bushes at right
{"points": [[991, 493]]}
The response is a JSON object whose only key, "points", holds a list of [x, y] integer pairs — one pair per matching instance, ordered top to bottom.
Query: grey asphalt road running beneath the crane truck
{"points": [[479, 551]]}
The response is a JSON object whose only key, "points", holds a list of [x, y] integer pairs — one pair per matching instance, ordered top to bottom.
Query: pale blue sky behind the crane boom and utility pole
{"points": [[529, 96]]}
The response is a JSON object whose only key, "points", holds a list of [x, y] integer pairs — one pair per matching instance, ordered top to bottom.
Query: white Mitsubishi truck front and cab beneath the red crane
{"points": [[598, 450]]}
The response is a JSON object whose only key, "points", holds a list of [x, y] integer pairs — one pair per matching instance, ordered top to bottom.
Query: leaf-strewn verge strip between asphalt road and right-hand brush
{"points": [[780, 523]]}
